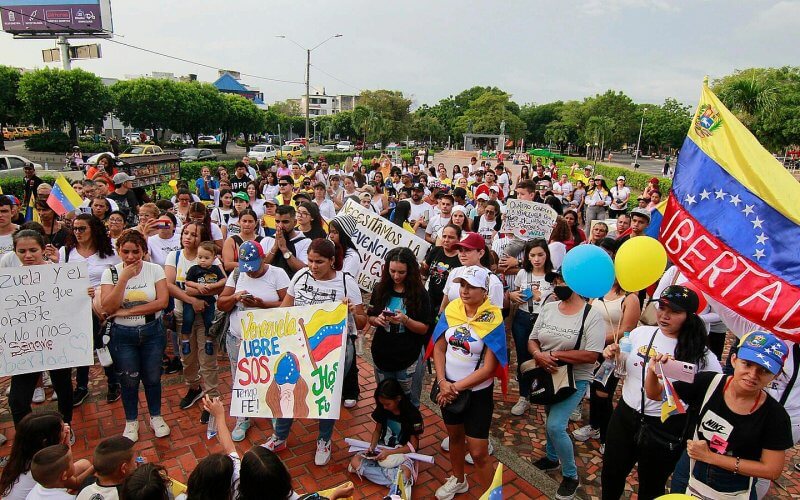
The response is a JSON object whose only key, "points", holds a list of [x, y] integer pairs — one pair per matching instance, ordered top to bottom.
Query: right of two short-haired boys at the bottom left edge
{"points": [[114, 460]]}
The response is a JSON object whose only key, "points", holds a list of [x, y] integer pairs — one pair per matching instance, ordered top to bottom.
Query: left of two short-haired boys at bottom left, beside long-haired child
{"points": [[53, 471]]}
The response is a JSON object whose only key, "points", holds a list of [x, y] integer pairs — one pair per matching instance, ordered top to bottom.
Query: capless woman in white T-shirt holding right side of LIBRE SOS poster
{"points": [[317, 284]]}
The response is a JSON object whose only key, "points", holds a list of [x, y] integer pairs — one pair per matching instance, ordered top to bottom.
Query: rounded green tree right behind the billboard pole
{"points": [[76, 97]]}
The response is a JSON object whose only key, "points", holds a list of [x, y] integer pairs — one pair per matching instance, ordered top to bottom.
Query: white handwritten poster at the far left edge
{"points": [[46, 322]]}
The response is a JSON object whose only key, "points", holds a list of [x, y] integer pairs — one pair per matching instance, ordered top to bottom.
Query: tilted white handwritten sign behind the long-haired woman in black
{"points": [[374, 237]]}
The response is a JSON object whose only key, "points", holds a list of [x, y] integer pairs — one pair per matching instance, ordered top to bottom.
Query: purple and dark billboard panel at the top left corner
{"points": [[52, 18]]}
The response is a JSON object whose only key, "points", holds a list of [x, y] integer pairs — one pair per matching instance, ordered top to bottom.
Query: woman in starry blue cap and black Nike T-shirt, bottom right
{"points": [[741, 432]]}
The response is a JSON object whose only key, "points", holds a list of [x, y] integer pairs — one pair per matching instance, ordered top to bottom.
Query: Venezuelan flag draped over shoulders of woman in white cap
{"points": [[486, 324]]}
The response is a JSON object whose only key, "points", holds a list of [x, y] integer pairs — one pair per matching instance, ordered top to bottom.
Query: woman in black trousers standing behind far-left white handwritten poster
{"points": [[29, 247]]}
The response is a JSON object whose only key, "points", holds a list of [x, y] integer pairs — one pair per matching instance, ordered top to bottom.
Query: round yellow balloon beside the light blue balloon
{"points": [[639, 263]]}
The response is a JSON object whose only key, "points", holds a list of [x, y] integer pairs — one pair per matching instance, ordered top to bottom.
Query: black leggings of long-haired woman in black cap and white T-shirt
{"points": [[655, 463]]}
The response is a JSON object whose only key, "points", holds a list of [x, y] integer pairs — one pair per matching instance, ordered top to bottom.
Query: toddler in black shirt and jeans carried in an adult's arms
{"points": [[204, 280]]}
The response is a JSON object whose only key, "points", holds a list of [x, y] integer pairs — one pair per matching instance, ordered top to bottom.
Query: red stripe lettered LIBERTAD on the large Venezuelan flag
{"points": [[729, 277]]}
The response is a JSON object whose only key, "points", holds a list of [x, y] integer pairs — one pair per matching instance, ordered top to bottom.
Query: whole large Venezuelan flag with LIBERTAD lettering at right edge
{"points": [[732, 221]]}
